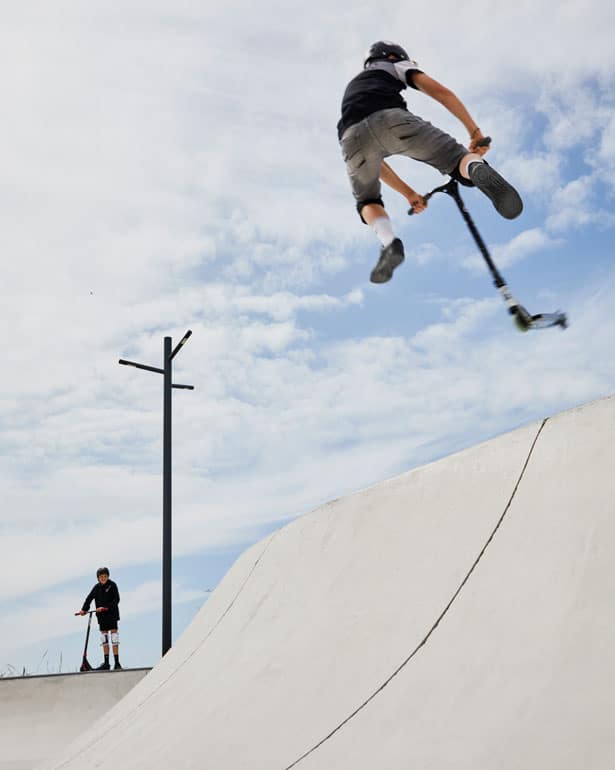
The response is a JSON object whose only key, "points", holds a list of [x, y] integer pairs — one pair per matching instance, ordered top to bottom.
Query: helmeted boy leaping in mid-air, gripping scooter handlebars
{"points": [[376, 123]]}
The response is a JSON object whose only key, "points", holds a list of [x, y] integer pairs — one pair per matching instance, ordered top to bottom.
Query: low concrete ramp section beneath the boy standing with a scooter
{"points": [[40, 715]]}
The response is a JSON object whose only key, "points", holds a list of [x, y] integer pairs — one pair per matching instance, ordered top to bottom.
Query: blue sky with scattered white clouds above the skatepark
{"points": [[173, 168]]}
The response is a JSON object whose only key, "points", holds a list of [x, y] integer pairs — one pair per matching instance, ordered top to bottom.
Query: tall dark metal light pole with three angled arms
{"points": [[167, 529]]}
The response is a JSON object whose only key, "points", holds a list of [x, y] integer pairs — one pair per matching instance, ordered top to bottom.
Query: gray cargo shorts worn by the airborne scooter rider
{"points": [[393, 132]]}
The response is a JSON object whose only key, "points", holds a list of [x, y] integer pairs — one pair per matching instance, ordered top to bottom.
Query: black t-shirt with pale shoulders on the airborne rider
{"points": [[377, 88]]}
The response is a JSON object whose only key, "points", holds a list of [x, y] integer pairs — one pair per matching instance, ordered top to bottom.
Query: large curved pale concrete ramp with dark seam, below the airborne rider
{"points": [[458, 616]]}
